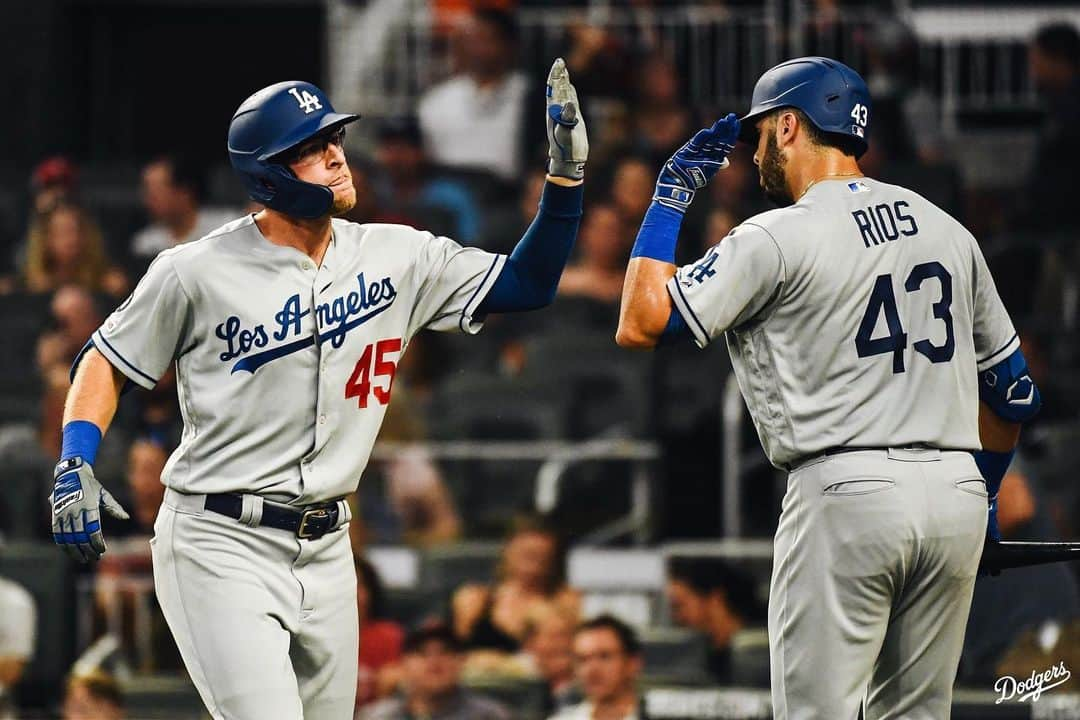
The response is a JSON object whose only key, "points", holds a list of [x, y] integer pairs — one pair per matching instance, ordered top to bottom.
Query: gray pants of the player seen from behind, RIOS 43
{"points": [[874, 566]]}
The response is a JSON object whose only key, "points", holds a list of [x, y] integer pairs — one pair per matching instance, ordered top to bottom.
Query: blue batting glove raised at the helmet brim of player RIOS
{"points": [[695, 165]]}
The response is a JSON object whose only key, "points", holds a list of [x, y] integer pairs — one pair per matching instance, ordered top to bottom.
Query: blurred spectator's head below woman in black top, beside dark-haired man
{"points": [[549, 655]]}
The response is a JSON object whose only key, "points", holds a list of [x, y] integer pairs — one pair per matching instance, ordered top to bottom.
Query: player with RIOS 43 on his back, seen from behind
{"points": [[876, 360]]}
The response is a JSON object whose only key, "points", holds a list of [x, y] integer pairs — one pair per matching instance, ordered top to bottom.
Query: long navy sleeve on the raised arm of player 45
{"points": [[531, 276]]}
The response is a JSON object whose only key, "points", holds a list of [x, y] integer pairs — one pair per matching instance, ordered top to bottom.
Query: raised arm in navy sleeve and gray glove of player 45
{"points": [[531, 276]]}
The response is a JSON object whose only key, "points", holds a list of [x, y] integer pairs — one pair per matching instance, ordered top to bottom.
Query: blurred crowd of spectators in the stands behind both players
{"points": [[468, 164]]}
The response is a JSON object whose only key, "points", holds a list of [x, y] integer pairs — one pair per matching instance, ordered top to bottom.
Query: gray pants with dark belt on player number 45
{"points": [[266, 623]]}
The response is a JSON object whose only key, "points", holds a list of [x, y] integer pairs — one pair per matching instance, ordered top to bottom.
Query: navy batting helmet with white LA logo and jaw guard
{"points": [[268, 124]]}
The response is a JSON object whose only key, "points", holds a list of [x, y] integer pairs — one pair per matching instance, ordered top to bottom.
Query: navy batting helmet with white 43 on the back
{"points": [[831, 94]]}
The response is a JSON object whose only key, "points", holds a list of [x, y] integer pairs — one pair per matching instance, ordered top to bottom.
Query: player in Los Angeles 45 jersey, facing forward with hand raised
{"points": [[287, 328]]}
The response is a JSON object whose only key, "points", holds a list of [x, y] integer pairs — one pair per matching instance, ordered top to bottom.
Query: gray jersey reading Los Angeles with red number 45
{"points": [[285, 369]]}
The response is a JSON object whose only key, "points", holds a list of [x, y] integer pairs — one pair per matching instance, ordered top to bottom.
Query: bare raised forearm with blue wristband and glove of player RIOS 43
{"points": [[646, 316]]}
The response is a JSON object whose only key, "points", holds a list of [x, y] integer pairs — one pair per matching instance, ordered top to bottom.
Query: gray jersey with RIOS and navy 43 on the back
{"points": [[855, 318]]}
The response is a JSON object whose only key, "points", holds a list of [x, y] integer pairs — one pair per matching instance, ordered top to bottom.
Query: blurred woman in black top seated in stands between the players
{"points": [[531, 580]]}
